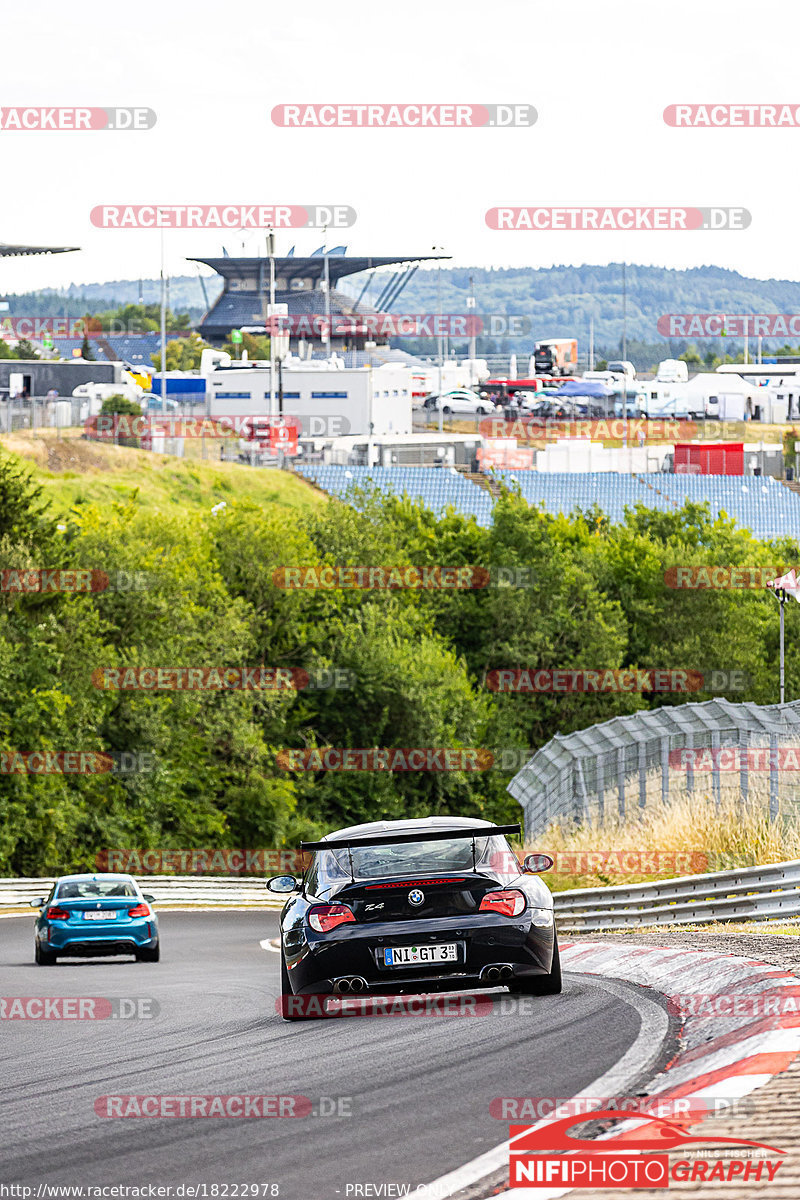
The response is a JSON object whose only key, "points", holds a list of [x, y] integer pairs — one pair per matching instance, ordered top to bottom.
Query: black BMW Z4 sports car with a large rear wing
{"points": [[417, 907]]}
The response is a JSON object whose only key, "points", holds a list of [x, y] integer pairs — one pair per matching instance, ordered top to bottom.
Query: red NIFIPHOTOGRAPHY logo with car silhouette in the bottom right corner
{"points": [[642, 1162]]}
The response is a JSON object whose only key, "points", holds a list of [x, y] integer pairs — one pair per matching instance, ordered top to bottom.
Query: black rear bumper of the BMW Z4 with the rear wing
{"points": [[318, 961]]}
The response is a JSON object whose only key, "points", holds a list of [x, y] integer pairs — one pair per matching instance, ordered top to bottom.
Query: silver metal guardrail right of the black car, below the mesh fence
{"points": [[751, 893]]}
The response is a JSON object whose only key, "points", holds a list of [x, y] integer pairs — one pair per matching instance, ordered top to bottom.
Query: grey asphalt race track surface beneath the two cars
{"points": [[411, 1096]]}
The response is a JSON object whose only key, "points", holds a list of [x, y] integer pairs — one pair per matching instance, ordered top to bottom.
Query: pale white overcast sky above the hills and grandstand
{"points": [[600, 76]]}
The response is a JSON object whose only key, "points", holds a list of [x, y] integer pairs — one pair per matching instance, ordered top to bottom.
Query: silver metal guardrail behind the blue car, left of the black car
{"points": [[202, 890]]}
